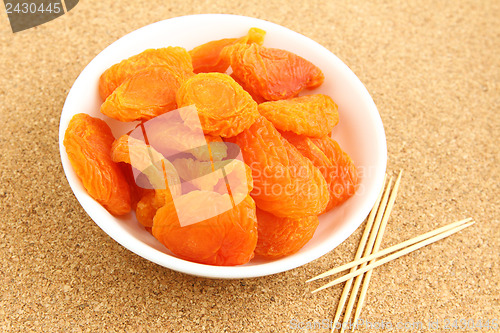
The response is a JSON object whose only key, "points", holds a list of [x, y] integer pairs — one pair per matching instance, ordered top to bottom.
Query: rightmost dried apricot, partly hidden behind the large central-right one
{"points": [[335, 165]]}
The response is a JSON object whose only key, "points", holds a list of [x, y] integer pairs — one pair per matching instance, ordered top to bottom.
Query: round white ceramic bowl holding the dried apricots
{"points": [[360, 133]]}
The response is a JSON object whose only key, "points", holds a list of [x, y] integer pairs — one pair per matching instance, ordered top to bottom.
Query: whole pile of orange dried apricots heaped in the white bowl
{"points": [[245, 94]]}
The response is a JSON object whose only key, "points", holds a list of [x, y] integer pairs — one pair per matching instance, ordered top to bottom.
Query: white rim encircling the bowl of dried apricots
{"points": [[226, 272]]}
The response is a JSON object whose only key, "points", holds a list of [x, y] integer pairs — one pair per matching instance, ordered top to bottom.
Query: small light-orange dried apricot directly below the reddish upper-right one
{"points": [[311, 115]]}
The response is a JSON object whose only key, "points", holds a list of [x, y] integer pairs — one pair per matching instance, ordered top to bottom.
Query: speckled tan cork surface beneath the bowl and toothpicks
{"points": [[432, 68]]}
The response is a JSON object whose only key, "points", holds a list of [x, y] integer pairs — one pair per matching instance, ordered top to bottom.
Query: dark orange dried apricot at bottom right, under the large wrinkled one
{"points": [[282, 236]]}
